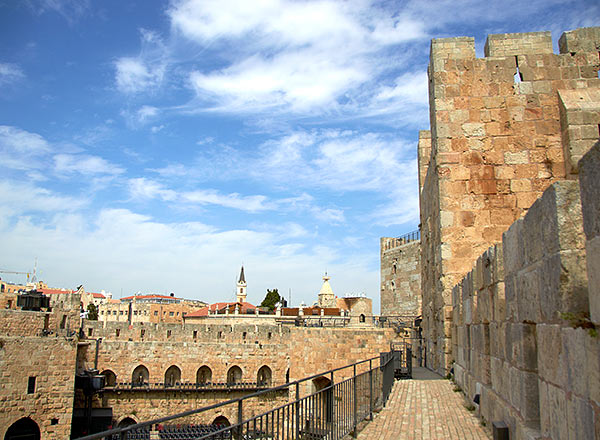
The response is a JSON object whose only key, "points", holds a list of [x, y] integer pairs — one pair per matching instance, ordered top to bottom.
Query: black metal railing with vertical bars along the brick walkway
{"points": [[331, 412]]}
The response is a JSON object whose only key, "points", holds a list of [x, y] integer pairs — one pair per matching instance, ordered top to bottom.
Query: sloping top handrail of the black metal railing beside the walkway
{"points": [[287, 385]]}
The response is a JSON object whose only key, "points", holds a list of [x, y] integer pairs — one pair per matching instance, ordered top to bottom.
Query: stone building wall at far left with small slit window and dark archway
{"points": [[49, 361]]}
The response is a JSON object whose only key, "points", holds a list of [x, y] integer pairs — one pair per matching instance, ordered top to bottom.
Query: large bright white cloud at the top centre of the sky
{"points": [[293, 56]]}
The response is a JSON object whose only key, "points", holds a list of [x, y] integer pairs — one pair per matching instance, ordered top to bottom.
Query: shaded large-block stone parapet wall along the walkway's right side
{"points": [[522, 337]]}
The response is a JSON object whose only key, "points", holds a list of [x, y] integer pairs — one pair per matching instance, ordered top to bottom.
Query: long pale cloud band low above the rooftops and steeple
{"points": [[124, 251]]}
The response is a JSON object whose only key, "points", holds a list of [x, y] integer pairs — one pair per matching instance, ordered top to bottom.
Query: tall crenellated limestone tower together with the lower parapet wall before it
{"points": [[510, 238]]}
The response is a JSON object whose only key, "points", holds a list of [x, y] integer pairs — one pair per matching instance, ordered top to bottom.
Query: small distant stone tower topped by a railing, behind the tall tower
{"points": [[400, 277]]}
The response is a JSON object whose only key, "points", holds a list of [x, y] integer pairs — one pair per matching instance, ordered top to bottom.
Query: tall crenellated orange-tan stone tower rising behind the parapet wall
{"points": [[496, 145]]}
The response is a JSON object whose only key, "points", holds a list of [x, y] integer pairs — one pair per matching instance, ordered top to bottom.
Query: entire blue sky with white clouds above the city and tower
{"points": [[156, 146]]}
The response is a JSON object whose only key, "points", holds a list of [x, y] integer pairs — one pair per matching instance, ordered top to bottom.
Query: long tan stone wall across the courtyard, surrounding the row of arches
{"points": [[289, 351]]}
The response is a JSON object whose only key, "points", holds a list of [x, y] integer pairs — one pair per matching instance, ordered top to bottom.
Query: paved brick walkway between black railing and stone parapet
{"points": [[425, 409]]}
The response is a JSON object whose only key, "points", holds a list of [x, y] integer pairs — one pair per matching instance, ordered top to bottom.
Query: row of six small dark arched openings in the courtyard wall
{"points": [[204, 375]]}
